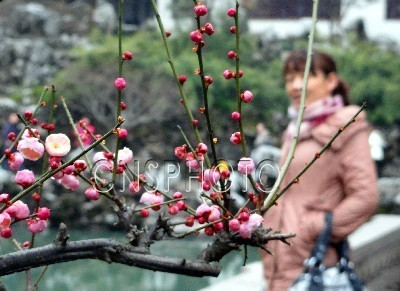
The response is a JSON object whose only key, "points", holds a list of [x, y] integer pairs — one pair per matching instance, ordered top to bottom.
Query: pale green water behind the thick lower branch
{"points": [[88, 275]]}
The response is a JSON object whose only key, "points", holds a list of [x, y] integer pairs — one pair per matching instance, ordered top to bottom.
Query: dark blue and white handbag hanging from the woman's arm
{"points": [[317, 277]]}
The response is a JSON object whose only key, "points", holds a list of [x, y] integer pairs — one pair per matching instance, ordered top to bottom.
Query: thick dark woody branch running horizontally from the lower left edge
{"points": [[108, 250]]}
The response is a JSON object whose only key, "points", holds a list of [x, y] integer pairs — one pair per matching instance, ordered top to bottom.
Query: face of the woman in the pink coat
{"points": [[319, 86]]}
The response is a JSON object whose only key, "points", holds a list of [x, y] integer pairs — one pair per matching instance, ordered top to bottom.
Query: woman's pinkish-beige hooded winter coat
{"points": [[343, 180]]}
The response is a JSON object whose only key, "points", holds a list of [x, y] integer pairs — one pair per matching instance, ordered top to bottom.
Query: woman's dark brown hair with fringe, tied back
{"points": [[296, 63]]}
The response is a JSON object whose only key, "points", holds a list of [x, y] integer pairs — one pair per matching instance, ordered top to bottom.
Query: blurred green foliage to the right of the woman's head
{"points": [[372, 73]]}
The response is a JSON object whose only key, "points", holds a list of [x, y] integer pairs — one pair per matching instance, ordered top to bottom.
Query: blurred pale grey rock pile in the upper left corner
{"points": [[36, 39]]}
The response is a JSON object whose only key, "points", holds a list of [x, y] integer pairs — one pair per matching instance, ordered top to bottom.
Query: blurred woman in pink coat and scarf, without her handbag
{"points": [[343, 180]]}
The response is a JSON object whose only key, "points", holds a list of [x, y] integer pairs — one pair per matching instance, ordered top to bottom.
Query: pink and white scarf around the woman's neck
{"points": [[314, 114]]}
